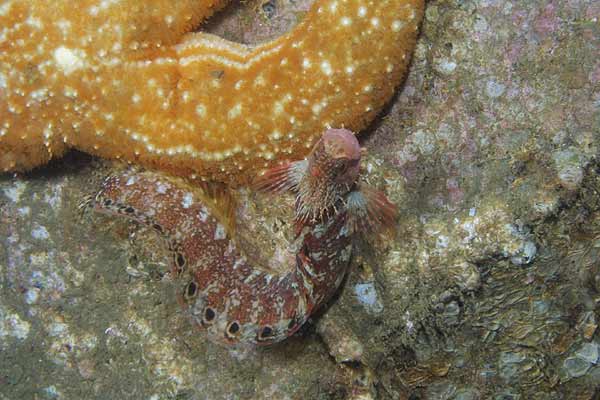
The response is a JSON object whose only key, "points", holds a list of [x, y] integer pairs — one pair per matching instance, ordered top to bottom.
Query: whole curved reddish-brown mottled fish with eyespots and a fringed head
{"points": [[232, 299]]}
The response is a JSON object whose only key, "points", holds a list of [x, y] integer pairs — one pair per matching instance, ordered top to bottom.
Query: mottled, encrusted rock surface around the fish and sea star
{"points": [[489, 289]]}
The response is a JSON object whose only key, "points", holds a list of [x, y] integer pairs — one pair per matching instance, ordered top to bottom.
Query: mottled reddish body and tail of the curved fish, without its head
{"points": [[234, 290]]}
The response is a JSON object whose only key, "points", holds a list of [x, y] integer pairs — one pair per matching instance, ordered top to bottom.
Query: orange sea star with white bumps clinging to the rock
{"points": [[126, 79]]}
